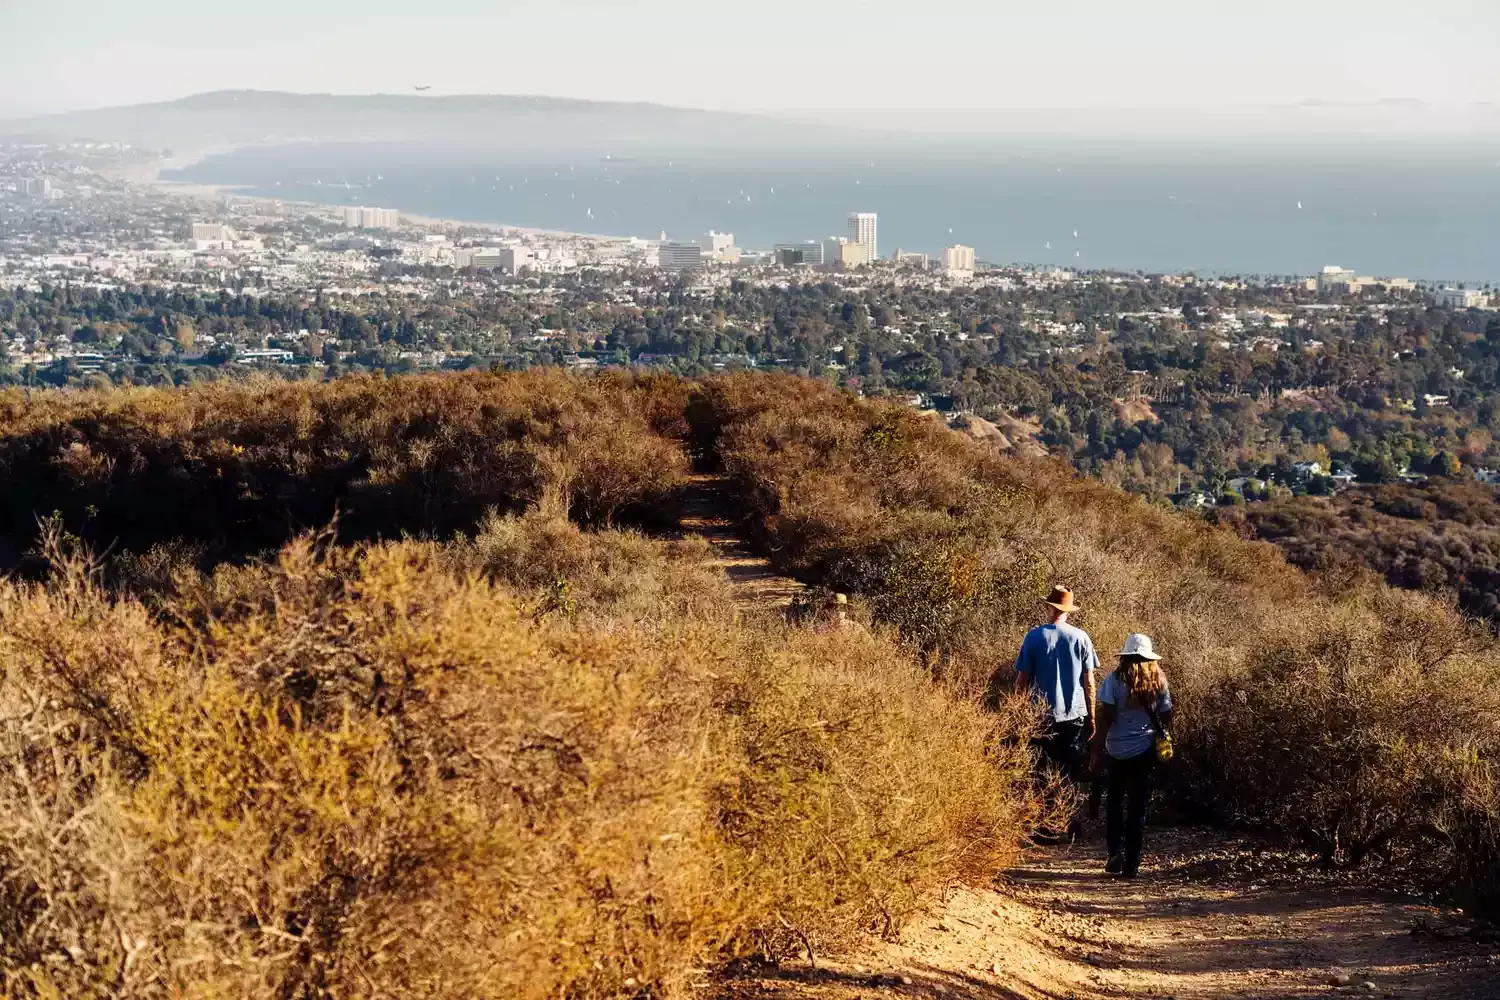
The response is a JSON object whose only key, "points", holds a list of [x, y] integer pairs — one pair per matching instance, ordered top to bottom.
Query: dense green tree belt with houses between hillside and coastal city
{"points": [[1346, 386]]}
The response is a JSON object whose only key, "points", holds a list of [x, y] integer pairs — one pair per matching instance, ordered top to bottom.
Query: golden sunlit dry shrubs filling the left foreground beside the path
{"points": [[358, 773]]}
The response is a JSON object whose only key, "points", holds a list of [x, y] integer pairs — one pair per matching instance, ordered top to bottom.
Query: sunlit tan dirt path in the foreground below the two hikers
{"points": [[1058, 927]]}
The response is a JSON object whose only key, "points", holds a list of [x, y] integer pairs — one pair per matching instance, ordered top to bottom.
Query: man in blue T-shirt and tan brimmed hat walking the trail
{"points": [[1057, 665]]}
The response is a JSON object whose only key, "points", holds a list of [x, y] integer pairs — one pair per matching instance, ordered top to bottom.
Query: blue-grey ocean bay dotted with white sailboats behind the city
{"points": [[1420, 211]]}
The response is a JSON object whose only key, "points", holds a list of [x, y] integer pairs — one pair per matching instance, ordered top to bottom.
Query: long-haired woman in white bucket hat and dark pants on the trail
{"points": [[1133, 737]]}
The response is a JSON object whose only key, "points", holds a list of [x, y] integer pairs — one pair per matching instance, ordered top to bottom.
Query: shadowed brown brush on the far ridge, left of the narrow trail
{"points": [[242, 469]]}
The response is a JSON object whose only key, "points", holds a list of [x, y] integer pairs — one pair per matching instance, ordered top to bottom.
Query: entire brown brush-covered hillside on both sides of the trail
{"points": [[439, 687]]}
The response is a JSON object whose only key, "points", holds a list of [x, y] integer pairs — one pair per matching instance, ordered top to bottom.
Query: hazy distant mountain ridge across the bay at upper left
{"points": [[472, 122]]}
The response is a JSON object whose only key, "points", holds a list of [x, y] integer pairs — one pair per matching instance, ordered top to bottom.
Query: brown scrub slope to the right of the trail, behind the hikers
{"points": [[1363, 723]]}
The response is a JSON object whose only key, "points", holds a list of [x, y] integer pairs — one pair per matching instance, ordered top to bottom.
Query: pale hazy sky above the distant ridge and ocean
{"points": [[758, 55]]}
